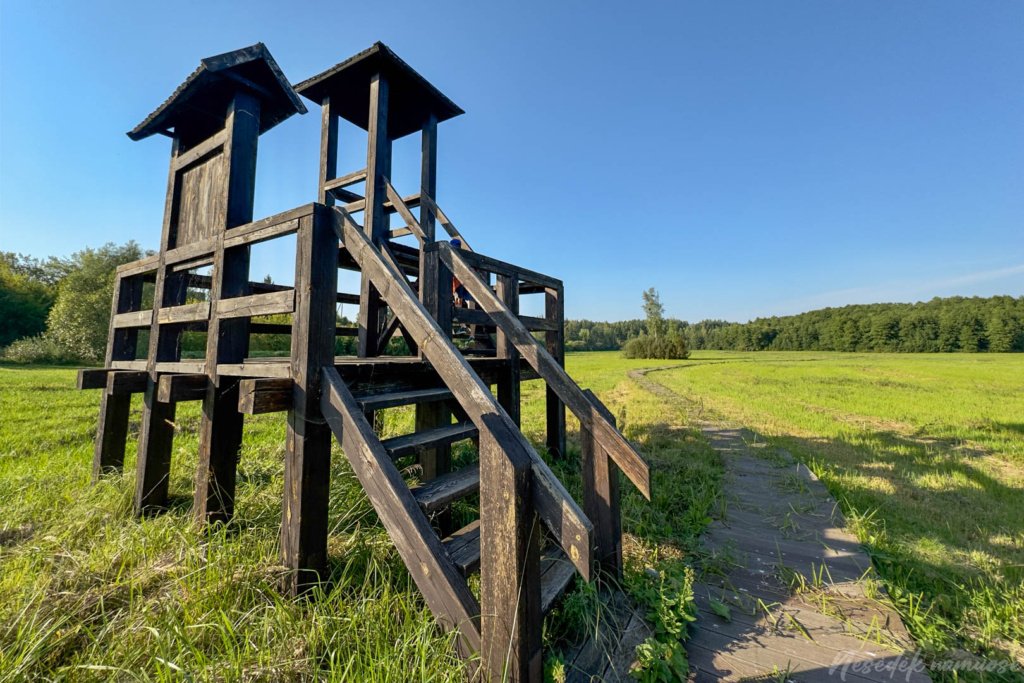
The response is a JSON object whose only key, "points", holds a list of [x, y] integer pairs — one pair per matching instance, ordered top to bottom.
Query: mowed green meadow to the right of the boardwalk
{"points": [[926, 455]]}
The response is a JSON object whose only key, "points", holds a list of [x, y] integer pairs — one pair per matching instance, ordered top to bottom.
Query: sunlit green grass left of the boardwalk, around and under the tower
{"points": [[88, 592]]}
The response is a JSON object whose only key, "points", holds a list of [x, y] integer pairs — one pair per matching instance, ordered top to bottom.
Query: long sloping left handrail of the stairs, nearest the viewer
{"points": [[560, 513]]}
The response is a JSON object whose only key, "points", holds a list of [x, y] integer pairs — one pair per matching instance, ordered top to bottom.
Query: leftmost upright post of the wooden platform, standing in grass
{"points": [[112, 432]]}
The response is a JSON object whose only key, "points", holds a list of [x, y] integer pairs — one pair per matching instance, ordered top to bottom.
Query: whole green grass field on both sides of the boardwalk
{"points": [[925, 453]]}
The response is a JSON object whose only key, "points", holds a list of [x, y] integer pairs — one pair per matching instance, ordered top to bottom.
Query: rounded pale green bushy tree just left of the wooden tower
{"points": [[81, 314]]}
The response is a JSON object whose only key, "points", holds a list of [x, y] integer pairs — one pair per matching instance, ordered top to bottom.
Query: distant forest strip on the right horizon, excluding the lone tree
{"points": [[943, 325]]}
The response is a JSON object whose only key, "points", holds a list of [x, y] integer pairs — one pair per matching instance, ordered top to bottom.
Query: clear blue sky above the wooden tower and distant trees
{"points": [[744, 158]]}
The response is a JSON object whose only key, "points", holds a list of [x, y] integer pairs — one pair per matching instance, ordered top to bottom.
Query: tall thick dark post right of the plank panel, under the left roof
{"points": [[228, 340]]}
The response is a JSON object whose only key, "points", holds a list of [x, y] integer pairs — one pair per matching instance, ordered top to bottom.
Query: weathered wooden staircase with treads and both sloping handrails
{"points": [[523, 574]]}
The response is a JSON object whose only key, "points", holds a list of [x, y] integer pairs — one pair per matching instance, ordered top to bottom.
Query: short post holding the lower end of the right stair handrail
{"points": [[601, 496]]}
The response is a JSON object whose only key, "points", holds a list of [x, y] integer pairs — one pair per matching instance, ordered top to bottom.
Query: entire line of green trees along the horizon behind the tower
{"points": [[58, 310]]}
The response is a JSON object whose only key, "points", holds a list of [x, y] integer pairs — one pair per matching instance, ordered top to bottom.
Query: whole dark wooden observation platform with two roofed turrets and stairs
{"points": [[532, 538]]}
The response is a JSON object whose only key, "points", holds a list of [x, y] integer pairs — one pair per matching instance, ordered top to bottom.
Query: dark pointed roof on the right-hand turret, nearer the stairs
{"points": [[411, 98]]}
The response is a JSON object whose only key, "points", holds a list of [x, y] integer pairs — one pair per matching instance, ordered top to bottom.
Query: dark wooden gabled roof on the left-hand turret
{"points": [[198, 106]]}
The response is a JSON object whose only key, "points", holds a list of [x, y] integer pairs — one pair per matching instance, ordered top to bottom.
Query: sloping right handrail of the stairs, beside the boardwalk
{"points": [[626, 457]]}
